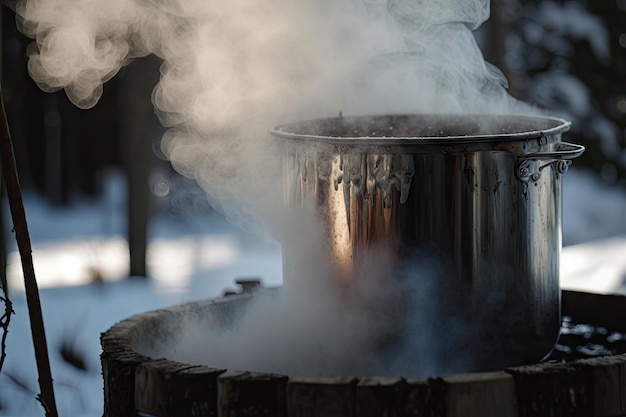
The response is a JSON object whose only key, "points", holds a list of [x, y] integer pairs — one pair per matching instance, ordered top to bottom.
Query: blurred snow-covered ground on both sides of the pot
{"points": [[197, 258]]}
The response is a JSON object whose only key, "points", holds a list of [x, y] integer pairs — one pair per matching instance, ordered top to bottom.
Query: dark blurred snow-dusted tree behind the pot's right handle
{"points": [[571, 56]]}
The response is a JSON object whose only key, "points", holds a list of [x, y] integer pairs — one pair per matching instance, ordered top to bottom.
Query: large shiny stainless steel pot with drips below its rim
{"points": [[477, 198]]}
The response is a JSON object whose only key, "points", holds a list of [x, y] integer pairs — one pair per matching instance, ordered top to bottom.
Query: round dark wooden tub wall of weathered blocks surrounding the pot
{"points": [[137, 385]]}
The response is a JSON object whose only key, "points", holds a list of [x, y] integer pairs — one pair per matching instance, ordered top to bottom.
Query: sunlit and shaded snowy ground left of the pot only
{"points": [[188, 259]]}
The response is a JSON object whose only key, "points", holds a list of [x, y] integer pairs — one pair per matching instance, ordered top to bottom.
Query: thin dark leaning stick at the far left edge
{"points": [[16, 204]]}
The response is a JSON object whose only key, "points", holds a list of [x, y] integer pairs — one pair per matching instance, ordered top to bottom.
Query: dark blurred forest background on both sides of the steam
{"points": [[568, 57]]}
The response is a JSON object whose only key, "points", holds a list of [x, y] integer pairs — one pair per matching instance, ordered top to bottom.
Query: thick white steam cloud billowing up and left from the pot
{"points": [[233, 69]]}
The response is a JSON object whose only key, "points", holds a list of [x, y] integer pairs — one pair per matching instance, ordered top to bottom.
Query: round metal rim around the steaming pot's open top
{"points": [[547, 126]]}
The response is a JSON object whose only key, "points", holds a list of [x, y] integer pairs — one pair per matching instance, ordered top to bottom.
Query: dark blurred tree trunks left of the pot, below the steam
{"points": [[62, 151]]}
